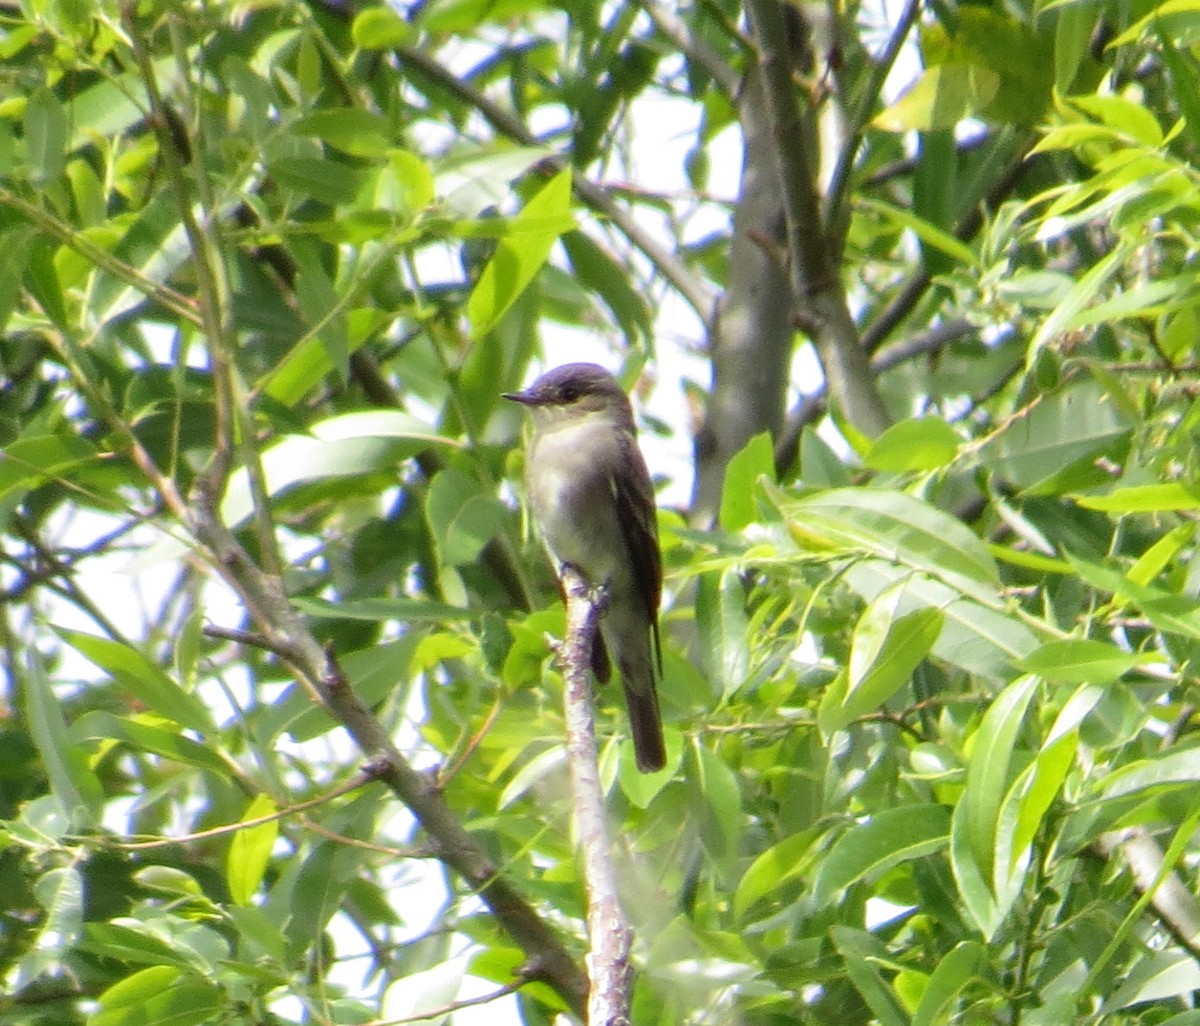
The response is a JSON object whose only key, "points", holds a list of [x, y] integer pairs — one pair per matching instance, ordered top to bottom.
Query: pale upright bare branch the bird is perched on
{"points": [[610, 971]]}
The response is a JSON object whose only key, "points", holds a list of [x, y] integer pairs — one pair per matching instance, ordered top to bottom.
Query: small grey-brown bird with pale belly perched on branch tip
{"points": [[593, 503]]}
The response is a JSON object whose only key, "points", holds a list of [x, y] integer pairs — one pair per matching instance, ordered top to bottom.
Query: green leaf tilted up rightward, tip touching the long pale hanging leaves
{"points": [[887, 839]]}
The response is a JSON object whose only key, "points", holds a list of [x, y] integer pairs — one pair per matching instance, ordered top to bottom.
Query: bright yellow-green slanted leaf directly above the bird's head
{"points": [[520, 256]]}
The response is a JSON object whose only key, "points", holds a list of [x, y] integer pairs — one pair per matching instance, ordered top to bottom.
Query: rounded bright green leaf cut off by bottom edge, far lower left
{"points": [[159, 997]]}
